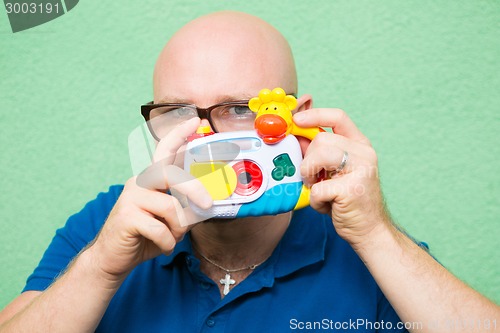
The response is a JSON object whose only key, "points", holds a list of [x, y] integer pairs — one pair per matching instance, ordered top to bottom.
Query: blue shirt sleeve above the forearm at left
{"points": [[80, 229]]}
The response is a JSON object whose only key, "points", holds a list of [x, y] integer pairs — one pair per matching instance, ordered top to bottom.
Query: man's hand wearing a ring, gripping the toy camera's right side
{"points": [[352, 196]]}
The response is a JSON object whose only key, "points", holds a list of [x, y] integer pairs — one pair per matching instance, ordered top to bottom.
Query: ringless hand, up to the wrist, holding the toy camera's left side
{"points": [[146, 221]]}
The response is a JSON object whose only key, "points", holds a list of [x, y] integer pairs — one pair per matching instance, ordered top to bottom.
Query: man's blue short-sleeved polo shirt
{"points": [[313, 281]]}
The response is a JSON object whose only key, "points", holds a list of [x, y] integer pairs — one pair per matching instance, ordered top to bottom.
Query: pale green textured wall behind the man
{"points": [[420, 78]]}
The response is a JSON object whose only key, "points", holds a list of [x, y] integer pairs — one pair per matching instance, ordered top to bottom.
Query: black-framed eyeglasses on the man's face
{"points": [[223, 117]]}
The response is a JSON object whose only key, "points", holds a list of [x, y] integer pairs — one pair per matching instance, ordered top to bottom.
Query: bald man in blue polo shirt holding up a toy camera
{"points": [[125, 263]]}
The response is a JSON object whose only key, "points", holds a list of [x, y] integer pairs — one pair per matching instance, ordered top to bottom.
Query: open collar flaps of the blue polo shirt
{"points": [[303, 244]]}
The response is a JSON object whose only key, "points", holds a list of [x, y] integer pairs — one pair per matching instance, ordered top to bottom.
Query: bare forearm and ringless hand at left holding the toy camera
{"points": [[144, 223]]}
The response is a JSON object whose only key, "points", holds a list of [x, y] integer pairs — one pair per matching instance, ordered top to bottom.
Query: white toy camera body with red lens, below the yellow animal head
{"points": [[246, 177]]}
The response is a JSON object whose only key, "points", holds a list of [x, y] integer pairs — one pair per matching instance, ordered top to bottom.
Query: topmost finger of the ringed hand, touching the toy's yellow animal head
{"points": [[337, 119]]}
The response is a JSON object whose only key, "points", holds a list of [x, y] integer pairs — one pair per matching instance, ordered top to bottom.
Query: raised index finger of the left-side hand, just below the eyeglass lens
{"points": [[169, 145]]}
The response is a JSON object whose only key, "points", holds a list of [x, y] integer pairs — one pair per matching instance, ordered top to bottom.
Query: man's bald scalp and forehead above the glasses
{"points": [[223, 56]]}
